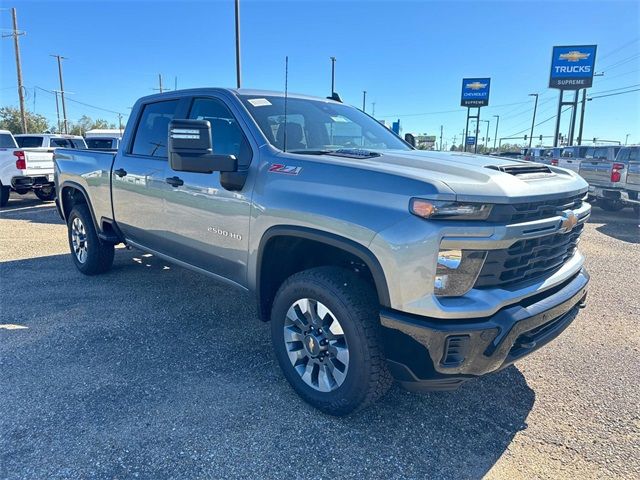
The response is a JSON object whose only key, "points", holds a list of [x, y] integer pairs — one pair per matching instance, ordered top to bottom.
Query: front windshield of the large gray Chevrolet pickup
{"points": [[318, 126]]}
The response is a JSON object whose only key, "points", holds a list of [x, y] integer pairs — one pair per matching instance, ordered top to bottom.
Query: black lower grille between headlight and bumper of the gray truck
{"points": [[528, 259]]}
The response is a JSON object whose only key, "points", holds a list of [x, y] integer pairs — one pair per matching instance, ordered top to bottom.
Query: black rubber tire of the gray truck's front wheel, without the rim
{"points": [[355, 305]]}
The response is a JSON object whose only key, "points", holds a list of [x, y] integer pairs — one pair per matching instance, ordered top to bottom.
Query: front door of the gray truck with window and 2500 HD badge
{"points": [[208, 225]]}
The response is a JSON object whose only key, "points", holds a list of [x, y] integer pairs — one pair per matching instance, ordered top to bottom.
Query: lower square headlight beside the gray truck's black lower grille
{"points": [[457, 271]]}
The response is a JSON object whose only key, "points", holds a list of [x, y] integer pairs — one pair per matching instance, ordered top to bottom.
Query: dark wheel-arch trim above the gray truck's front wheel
{"points": [[337, 241]]}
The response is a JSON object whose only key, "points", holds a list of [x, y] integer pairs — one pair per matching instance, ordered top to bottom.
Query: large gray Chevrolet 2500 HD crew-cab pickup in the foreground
{"points": [[373, 261]]}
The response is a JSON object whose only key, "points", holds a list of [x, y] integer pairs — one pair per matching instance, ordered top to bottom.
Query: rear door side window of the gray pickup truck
{"points": [[153, 129]]}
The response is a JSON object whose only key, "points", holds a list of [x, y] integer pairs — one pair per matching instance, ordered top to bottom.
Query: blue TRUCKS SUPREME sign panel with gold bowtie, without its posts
{"points": [[572, 67]]}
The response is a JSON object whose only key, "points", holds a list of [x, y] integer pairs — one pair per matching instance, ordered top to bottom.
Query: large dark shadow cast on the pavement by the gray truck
{"points": [[154, 369]]}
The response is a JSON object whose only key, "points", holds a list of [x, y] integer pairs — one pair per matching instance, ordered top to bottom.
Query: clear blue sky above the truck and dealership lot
{"points": [[410, 57]]}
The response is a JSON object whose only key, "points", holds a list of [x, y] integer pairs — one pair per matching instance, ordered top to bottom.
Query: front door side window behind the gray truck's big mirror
{"points": [[227, 136]]}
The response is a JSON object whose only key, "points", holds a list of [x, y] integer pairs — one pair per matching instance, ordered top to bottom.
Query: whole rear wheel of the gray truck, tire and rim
{"points": [[90, 254]]}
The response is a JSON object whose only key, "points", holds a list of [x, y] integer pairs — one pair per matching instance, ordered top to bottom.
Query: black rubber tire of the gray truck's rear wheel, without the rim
{"points": [[99, 254]]}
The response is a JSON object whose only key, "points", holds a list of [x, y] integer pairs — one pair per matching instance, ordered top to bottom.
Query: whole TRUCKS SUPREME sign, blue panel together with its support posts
{"points": [[572, 68]]}
